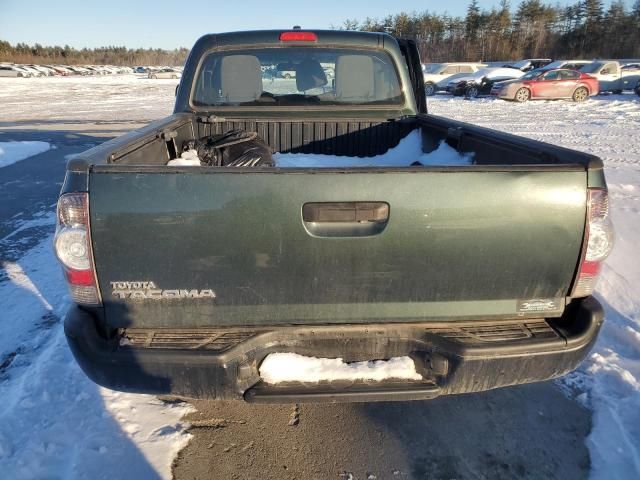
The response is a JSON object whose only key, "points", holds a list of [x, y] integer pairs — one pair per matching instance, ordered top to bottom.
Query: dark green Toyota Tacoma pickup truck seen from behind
{"points": [[185, 278]]}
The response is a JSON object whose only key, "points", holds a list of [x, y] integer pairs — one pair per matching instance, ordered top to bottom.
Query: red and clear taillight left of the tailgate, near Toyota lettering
{"points": [[72, 244]]}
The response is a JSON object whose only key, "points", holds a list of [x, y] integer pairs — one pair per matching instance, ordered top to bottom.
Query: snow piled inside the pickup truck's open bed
{"points": [[407, 152]]}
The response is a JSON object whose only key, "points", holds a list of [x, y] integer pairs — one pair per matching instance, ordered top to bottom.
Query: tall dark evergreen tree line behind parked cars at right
{"points": [[533, 29]]}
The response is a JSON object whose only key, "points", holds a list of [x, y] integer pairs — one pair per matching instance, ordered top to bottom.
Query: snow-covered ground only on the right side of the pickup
{"points": [[609, 381]]}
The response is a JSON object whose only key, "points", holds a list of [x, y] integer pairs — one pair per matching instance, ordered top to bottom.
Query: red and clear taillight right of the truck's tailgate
{"points": [[597, 244]]}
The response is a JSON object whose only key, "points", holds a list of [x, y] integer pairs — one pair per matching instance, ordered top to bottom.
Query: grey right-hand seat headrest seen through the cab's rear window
{"points": [[354, 78]]}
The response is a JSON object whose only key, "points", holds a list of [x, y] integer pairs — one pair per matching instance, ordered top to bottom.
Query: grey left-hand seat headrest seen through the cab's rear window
{"points": [[240, 78]]}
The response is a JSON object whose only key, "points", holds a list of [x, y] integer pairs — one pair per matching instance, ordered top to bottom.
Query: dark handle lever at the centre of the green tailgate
{"points": [[345, 212]]}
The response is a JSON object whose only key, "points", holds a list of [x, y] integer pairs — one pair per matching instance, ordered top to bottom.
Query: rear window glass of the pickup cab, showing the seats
{"points": [[291, 76]]}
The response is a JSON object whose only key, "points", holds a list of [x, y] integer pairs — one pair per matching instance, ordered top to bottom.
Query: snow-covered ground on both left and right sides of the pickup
{"points": [[56, 423]]}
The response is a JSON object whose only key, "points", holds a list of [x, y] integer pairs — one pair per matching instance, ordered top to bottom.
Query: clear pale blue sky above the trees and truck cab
{"points": [[175, 23]]}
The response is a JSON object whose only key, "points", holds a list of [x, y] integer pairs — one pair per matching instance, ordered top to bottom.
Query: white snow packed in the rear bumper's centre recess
{"points": [[291, 367]]}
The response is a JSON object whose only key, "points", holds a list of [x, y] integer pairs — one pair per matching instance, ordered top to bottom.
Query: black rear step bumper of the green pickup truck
{"points": [[453, 358]]}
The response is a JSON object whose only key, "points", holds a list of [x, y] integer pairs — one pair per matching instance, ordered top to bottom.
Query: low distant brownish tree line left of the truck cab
{"points": [[38, 54]]}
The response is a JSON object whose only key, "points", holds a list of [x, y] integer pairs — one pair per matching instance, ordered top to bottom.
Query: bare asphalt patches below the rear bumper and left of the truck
{"points": [[530, 431]]}
